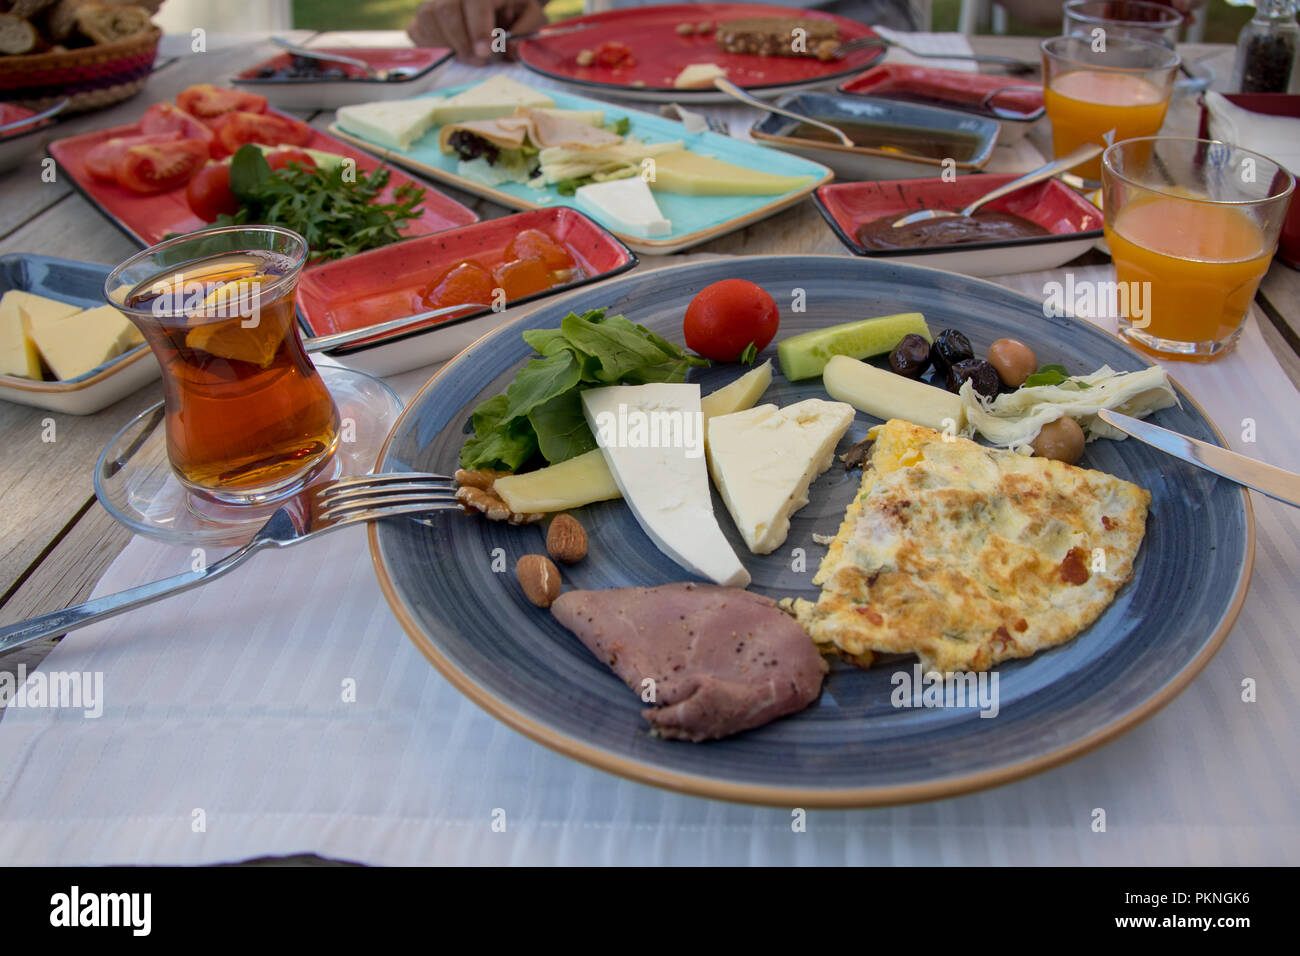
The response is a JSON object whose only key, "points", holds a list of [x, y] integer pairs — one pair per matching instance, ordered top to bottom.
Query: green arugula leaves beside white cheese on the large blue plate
{"points": [[541, 412]]}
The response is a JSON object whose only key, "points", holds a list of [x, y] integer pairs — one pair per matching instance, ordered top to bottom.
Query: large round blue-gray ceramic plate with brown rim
{"points": [[853, 747]]}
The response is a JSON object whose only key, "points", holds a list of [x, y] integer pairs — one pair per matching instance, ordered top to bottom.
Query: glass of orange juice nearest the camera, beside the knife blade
{"points": [[1193, 226]]}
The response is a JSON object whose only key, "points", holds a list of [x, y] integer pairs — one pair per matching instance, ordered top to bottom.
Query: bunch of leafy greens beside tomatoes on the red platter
{"points": [[339, 215]]}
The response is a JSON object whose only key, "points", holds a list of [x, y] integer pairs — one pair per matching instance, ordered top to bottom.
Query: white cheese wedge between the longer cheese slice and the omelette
{"points": [[765, 458]]}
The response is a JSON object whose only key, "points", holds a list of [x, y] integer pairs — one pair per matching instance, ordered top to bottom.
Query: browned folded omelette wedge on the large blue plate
{"points": [[969, 556]]}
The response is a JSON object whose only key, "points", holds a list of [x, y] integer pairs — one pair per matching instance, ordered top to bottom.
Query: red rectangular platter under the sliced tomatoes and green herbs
{"points": [[149, 218]]}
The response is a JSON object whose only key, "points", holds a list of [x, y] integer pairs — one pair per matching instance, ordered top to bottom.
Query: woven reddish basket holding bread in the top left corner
{"points": [[90, 77]]}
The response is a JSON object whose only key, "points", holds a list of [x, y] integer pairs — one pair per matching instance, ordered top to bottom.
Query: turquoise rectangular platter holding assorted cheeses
{"points": [[695, 219]]}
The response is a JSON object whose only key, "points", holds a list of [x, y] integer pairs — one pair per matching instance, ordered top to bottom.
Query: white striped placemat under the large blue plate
{"points": [[226, 736]]}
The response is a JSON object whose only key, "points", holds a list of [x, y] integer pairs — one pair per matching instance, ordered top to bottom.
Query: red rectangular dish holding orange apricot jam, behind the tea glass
{"points": [[389, 283]]}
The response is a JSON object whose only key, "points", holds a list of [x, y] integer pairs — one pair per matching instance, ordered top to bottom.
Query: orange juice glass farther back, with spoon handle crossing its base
{"points": [[1103, 90]]}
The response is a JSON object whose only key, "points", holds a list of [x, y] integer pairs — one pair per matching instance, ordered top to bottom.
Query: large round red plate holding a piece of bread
{"points": [[661, 54]]}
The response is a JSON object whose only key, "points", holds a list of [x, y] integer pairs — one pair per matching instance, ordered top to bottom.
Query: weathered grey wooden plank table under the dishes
{"points": [[58, 540]]}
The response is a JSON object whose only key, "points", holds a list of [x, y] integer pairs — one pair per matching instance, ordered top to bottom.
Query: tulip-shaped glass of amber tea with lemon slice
{"points": [[248, 416]]}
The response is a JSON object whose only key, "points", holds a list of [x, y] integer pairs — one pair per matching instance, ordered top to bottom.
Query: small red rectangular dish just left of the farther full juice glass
{"points": [[1000, 98]]}
